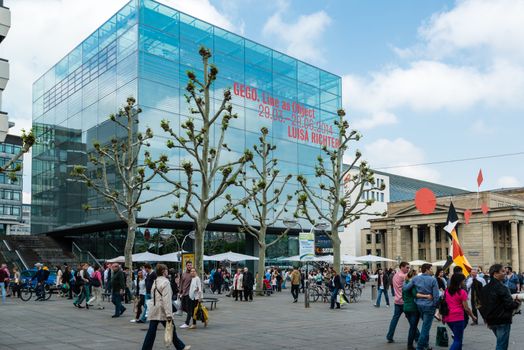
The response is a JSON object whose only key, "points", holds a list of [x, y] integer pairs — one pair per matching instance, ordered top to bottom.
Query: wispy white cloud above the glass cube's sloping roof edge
{"points": [[301, 38]]}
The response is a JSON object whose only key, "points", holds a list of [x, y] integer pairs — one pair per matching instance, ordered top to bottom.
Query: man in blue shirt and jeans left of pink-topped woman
{"points": [[427, 285]]}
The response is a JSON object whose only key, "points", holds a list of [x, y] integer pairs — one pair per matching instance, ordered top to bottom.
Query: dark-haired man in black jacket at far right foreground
{"points": [[497, 306]]}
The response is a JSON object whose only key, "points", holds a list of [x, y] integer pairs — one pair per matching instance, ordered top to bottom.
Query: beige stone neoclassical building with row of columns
{"points": [[496, 237]]}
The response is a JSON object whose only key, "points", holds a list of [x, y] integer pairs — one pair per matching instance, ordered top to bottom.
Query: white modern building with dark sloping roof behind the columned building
{"points": [[397, 188]]}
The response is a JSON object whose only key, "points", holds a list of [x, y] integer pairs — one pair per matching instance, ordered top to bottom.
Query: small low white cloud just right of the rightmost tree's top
{"points": [[399, 153]]}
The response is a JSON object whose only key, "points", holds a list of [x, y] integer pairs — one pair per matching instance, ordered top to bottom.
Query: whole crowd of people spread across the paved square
{"points": [[422, 295]]}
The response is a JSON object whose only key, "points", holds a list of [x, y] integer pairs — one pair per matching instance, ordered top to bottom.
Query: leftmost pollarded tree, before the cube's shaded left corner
{"points": [[118, 174]]}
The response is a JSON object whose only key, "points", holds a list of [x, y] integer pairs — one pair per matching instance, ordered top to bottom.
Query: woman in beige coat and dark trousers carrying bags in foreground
{"points": [[159, 311]]}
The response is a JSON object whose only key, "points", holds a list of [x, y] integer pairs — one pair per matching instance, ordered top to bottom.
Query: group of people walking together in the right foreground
{"points": [[424, 296]]}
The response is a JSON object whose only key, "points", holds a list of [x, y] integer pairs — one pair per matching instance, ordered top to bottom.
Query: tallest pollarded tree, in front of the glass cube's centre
{"points": [[206, 175]]}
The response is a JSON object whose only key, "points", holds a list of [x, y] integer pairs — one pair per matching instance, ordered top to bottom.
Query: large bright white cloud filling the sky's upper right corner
{"points": [[468, 56]]}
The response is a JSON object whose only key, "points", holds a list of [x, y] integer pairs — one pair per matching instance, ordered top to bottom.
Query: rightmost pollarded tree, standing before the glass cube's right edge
{"points": [[340, 198]]}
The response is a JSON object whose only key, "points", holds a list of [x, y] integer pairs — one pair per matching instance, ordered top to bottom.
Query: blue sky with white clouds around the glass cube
{"points": [[423, 81]]}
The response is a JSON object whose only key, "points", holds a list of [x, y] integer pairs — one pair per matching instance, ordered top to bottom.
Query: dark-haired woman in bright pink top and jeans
{"points": [[457, 300]]}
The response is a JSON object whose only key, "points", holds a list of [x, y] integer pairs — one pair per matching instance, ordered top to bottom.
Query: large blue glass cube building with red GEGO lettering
{"points": [[144, 51]]}
